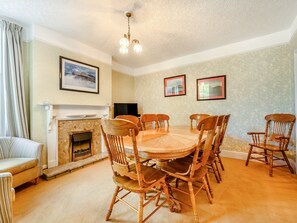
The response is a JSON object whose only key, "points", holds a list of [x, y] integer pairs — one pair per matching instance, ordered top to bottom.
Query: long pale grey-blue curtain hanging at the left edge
{"points": [[13, 117]]}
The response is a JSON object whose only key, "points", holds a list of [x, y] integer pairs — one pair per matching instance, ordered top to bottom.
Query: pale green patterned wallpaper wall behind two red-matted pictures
{"points": [[258, 83]]}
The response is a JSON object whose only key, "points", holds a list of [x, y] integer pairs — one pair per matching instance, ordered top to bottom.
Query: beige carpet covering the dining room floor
{"points": [[246, 194]]}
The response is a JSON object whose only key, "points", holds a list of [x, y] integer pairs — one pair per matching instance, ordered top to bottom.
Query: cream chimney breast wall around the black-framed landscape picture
{"points": [[44, 84]]}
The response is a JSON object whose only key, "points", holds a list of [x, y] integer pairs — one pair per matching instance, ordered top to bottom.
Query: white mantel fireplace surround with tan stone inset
{"points": [[66, 119]]}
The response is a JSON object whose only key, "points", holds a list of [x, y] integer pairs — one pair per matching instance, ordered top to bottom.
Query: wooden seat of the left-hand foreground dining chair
{"points": [[149, 173]]}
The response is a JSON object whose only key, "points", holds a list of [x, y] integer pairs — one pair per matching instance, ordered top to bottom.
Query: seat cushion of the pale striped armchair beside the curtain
{"points": [[17, 165]]}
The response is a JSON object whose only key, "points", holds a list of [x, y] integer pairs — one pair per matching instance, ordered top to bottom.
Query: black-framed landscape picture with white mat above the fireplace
{"points": [[78, 76]]}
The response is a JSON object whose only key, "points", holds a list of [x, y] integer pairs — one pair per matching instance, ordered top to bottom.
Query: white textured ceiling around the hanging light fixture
{"points": [[167, 29]]}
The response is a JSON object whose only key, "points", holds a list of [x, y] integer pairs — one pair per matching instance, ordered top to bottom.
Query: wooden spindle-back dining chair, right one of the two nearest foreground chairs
{"points": [[195, 170]]}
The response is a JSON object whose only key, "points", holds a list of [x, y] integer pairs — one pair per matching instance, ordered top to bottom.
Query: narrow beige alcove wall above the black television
{"points": [[123, 88]]}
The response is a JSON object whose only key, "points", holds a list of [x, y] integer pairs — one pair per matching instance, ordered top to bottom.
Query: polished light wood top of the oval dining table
{"points": [[165, 143]]}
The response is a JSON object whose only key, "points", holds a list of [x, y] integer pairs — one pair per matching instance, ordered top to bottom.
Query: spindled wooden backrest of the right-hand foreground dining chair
{"points": [[206, 128]]}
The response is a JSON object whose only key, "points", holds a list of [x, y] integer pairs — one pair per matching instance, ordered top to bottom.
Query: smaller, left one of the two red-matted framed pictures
{"points": [[175, 86]]}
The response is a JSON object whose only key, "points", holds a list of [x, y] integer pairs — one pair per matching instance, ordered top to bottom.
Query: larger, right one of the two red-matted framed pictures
{"points": [[211, 88]]}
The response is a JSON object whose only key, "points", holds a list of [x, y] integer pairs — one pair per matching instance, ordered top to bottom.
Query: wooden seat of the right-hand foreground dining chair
{"points": [[177, 167]]}
